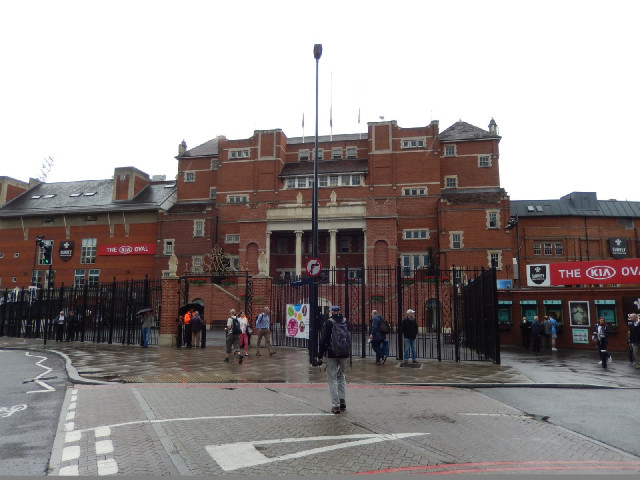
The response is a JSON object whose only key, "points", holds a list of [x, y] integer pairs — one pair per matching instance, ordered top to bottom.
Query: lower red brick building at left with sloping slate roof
{"points": [[99, 229]]}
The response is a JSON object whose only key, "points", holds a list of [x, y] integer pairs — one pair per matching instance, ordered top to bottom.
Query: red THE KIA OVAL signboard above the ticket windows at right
{"points": [[595, 272]]}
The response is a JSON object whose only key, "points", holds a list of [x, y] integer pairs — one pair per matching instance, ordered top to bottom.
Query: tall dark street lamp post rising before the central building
{"points": [[313, 296]]}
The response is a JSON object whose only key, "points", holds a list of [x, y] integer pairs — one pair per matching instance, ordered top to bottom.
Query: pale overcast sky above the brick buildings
{"points": [[102, 84]]}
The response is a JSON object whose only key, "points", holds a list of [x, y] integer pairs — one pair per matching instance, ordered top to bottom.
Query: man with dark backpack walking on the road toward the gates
{"points": [[335, 341]]}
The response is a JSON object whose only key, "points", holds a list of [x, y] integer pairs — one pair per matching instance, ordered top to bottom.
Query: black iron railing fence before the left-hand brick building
{"points": [[105, 313]]}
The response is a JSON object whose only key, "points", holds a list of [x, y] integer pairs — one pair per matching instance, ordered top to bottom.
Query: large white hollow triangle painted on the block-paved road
{"points": [[233, 456]]}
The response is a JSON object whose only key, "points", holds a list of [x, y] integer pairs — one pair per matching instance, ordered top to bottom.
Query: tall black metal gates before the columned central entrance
{"points": [[456, 309]]}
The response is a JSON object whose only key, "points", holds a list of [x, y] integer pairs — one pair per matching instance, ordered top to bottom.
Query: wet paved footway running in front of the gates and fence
{"points": [[92, 363]]}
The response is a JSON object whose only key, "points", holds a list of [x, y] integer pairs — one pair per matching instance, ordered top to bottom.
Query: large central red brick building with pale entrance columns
{"points": [[417, 194]]}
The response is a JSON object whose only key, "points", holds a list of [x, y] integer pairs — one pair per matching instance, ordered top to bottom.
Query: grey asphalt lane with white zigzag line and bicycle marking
{"points": [[31, 395]]}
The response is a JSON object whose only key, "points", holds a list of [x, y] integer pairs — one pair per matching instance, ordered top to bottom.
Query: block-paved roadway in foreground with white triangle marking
{"points": [[286, 429]]}
